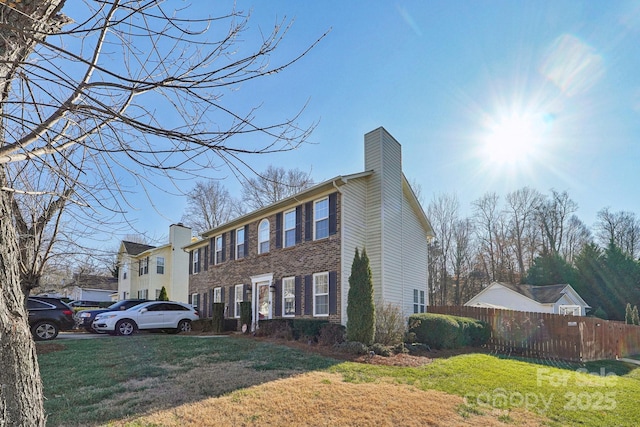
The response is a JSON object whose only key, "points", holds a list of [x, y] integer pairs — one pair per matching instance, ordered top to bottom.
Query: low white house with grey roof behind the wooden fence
{"points": [[558, 299]]}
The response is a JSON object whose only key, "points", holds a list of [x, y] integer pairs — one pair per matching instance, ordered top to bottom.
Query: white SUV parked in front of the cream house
{"points": [[164, 315]]}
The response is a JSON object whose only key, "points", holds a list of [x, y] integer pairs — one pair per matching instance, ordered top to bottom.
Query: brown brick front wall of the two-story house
{"points": [[302, 260]]}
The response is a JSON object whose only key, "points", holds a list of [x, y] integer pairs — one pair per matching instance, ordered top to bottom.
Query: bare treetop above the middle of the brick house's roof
{"points": [[275, 183]]}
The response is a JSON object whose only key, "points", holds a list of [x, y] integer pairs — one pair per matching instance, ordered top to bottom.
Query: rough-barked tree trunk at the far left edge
{"points": [[22, 25]]}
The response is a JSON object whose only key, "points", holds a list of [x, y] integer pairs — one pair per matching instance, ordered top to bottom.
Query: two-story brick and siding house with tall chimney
{"points": [[293, 258]]}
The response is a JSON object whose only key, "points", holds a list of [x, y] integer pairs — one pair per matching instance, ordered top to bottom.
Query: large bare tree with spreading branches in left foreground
{"points": [[129, 94]]}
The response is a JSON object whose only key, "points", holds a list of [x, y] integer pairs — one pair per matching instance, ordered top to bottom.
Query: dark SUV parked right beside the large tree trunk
{"points": [[48, 316]]}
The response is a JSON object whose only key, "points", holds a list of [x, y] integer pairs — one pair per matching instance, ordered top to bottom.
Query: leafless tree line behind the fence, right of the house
{"points": [[500, 240]]}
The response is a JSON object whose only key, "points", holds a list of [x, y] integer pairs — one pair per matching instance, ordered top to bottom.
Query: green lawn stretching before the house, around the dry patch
{"points": [[92, 382]]}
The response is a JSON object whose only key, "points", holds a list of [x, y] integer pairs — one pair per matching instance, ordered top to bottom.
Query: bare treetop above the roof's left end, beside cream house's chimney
{"points": [[210, 204]]}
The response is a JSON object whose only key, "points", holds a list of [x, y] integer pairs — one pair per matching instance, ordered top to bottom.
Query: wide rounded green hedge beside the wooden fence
{"points": [[444, 331]]}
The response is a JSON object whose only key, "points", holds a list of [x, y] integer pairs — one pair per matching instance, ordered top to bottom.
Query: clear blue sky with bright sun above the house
{"points": [[450, 80]]}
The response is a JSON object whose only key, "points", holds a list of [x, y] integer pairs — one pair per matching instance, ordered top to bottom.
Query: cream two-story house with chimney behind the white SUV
{"points": [[145, 269]]}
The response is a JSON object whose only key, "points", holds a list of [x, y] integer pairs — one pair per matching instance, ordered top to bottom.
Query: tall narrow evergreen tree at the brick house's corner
{"points": [[360, 305]]}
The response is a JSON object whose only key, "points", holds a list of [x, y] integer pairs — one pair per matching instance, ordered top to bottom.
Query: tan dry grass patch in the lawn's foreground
{"points": [[324, 399]]}
